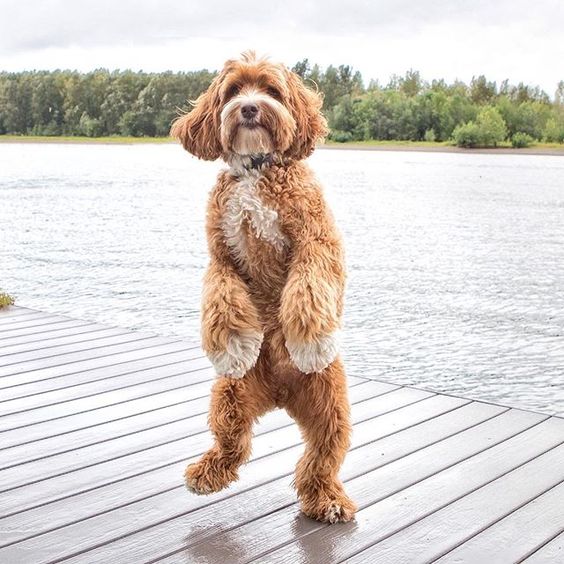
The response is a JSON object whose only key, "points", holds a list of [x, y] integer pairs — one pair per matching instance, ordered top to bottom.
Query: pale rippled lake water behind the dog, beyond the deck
{"points": [[456, 261]]}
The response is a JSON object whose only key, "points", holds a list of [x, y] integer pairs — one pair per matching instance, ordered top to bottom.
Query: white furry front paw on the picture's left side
{"points": [[241, 355]]}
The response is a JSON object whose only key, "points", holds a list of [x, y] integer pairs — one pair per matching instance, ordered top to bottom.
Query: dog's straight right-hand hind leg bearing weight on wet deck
{"points": [[321, 408]]}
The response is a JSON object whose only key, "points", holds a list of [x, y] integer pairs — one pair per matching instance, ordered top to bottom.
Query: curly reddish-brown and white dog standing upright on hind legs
{"points": [[273, 290]]}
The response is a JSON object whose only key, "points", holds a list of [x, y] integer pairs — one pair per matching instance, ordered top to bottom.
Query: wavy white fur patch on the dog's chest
{"points": [[246, 205]]}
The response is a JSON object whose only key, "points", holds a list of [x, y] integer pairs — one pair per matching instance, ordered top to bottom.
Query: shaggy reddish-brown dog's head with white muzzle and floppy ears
{"points": [[253, 107]]}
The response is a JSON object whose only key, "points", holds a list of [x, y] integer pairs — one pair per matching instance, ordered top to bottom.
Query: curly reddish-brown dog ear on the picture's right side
{"points": [[311, 126]]}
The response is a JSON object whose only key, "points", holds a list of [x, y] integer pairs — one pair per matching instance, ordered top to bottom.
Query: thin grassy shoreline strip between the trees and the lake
{"points": [[415, 146]]}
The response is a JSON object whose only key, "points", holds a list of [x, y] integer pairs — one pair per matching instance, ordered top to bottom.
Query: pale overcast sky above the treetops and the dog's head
{"points": [[516, 39]]}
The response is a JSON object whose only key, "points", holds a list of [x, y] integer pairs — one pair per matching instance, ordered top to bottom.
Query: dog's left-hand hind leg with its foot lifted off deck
{"points": [[236, 403]]}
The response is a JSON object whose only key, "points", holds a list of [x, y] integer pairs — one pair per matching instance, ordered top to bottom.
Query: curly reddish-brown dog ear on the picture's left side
{"points": [[198, 129]]}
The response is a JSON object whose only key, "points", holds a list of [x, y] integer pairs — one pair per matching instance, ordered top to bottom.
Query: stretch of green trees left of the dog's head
{"points": [[95, 104]]}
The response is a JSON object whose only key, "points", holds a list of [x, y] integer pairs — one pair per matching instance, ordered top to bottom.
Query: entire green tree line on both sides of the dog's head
{"points": [[106, 103]]}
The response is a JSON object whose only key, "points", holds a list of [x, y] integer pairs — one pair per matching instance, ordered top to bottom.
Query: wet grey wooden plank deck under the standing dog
{"points": [[98, 423]]}
